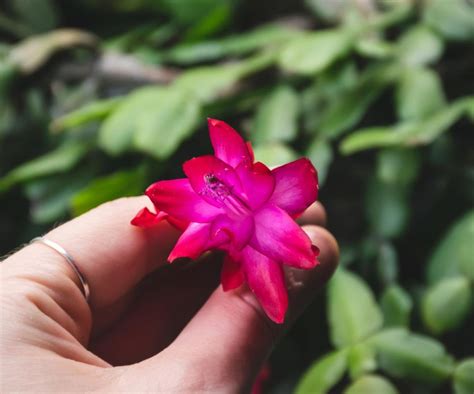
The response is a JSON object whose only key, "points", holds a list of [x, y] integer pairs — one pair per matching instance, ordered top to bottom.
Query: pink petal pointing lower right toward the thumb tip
{"points": [[279, 237]]}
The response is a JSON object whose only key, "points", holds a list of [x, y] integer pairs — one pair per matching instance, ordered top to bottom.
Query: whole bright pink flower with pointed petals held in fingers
{"points": [[231, 203]]}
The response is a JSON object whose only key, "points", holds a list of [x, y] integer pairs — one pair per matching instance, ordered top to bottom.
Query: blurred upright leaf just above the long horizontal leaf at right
{"points": [[419, 94]]}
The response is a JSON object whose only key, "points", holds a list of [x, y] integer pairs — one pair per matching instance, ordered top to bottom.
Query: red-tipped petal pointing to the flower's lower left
{"points": [[196, 240]]}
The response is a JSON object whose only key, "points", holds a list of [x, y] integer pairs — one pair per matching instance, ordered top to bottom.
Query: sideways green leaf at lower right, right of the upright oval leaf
{"points": [[407, 355]]}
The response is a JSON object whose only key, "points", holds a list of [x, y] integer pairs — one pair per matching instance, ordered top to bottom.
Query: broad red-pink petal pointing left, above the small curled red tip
{"points": [[178, 199]]}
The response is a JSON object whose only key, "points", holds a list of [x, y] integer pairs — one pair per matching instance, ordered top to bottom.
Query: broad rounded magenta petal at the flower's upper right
{"points": [[296, 186]]}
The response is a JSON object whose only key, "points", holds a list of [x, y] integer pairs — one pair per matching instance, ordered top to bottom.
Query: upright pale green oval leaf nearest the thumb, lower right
{"points": [[353, 312]]}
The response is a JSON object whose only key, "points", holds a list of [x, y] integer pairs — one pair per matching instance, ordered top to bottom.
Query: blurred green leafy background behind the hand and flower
{"points": [[100, 98]]}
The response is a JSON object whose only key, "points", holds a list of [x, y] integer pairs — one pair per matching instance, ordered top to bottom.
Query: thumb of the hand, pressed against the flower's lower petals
{"points": [[231, 335]]}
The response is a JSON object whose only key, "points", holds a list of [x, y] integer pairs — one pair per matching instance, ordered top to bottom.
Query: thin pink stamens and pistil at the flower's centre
{"points": [[225, 196]]}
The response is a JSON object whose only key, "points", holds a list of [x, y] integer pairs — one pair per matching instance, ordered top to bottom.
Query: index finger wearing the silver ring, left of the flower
{"points": [[112, 254]]}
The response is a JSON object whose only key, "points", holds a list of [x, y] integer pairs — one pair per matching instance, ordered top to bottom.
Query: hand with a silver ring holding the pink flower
{"points": [[150, 326]]}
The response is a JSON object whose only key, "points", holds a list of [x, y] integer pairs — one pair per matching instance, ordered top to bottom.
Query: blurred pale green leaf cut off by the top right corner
{"points": [[453, 19]]}
